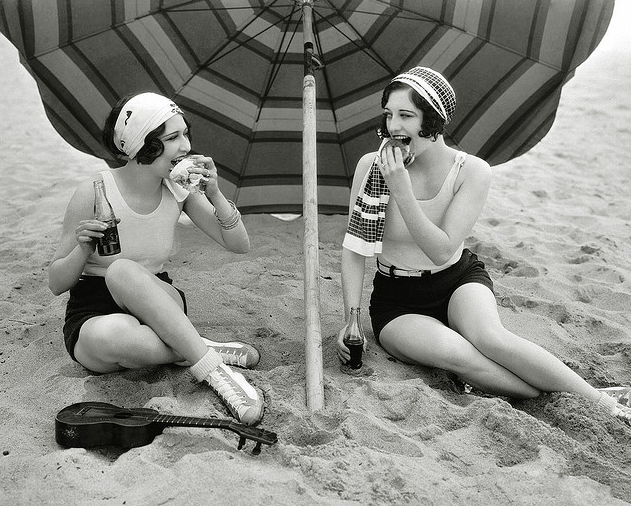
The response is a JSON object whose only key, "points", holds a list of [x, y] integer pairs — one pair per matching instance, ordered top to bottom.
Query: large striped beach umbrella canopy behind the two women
{"points": [[236, 68]]}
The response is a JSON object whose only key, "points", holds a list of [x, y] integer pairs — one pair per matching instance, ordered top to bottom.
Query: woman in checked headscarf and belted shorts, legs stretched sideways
{"points": [[432, 301]]}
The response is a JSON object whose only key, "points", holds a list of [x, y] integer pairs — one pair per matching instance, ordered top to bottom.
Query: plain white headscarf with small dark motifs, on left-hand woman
{"points": [[139, 116]]}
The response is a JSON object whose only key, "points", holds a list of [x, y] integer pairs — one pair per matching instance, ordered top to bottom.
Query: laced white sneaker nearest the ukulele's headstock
{"points": [[238, 395]]}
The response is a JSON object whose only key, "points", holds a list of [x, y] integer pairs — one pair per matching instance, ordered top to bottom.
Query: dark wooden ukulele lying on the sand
{"points": [[88, 424]]}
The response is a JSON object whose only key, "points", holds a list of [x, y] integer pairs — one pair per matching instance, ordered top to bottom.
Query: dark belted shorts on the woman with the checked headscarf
{"points": [[427, 295]]}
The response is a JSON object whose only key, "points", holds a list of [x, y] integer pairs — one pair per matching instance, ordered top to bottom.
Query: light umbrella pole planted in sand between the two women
{"points": [[313, 338]]}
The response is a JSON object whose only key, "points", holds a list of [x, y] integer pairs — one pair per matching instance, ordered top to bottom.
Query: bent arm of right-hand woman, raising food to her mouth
{"points": [[439, 242]]}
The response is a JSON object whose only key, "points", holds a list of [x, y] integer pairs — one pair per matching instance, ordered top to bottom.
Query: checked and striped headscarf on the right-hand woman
{"points": [[433, 87]]}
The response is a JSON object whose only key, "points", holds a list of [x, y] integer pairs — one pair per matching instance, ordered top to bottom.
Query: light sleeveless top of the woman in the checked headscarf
{"points": [[399, 248]]}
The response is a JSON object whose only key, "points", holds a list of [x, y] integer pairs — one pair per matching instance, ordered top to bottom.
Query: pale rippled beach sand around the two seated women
{"points": [[555, 235]]}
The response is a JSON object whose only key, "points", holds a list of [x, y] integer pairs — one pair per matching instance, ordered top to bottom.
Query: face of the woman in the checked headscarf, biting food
{"points": [[404, 119]]}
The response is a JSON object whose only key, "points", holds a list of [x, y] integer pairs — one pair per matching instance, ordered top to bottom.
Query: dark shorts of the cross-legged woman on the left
{"points": [[90, 297]]}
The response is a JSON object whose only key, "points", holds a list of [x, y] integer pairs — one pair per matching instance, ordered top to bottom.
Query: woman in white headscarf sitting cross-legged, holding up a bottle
{"points": [[123, 311]]}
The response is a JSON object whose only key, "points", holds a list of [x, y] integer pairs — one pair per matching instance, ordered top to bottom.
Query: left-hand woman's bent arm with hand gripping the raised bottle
{"points": [[77, 240]]}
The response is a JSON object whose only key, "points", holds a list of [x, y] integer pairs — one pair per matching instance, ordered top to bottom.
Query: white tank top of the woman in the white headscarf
{"points": [[145, 238]]}
